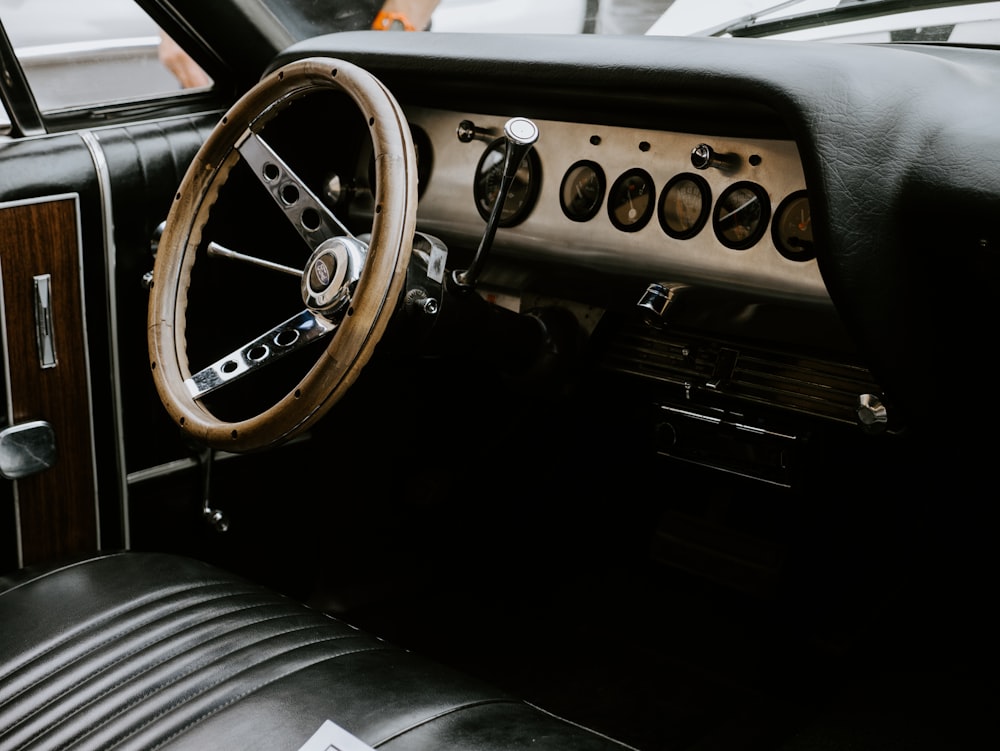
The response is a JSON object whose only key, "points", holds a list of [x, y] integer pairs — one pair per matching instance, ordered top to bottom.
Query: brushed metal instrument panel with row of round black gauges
{"points": [[727, 212]]}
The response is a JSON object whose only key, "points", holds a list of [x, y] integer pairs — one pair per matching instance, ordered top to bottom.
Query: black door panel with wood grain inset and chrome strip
{"points": [[112, 187]]}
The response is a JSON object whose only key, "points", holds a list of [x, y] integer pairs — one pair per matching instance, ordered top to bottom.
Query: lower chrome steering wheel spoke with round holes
{"points": [[290, 336]]}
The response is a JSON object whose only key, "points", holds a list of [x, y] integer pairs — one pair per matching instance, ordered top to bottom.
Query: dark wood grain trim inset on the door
{"points": [[57, 510]]}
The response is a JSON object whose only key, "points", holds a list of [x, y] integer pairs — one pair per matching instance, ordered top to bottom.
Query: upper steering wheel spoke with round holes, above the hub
{"points": [[310, 216]]}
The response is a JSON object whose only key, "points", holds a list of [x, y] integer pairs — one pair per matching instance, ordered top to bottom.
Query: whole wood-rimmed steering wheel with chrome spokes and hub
{"points": [[349, 287]]}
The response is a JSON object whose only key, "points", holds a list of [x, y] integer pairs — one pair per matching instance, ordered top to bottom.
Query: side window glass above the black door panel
{"points": [[82, 53]]}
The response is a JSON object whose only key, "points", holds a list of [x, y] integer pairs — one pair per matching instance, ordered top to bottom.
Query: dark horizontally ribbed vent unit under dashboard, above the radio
{"points": [[744, 372]]}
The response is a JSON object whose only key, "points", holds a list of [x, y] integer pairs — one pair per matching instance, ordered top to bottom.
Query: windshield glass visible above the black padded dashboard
{"points": [[957, 22]]}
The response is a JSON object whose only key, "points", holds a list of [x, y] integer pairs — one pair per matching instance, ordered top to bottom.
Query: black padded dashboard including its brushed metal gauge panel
{"points": [[868, 149]]}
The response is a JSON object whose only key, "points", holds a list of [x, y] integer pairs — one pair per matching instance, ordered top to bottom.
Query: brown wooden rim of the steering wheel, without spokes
{"points": [[378, 289]]}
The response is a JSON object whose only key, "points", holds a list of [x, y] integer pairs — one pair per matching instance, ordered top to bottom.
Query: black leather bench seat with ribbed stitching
{"points": [[144, 651]]}
